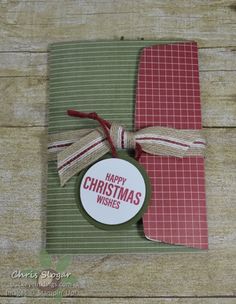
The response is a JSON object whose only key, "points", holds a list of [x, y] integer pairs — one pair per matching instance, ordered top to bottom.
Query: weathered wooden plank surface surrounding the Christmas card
{"points": [[26, 28]]}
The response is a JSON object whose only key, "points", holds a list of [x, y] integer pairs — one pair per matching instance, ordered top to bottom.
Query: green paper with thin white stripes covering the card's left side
{"points": [[101, 77]]}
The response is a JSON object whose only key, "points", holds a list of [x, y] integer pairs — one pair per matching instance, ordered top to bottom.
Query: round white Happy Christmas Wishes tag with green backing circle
{"points": [[113, 192]]}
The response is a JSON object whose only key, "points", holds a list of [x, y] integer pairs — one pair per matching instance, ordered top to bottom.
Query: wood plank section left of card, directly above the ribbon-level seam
{"points": [[23, 101]]}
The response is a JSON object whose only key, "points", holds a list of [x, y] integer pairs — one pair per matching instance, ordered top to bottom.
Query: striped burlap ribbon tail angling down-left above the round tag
{"points": [[81, 154]]}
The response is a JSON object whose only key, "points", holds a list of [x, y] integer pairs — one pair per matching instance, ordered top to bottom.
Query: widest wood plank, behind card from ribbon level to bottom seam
{"points": [[22, 188]]}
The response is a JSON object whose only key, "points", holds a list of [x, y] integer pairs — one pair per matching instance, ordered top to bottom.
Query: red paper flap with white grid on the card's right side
{"points": [[168, 95]]}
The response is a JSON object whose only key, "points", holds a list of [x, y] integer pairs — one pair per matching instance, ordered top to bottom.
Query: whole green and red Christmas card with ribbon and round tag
{"points": [[125, 148]]}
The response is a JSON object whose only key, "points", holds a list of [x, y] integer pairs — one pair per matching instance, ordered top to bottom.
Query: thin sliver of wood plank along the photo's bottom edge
{"points": [[118, 301]]}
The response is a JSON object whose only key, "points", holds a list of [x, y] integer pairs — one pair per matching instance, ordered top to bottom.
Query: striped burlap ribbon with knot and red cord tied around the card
{"points": [[75, 150]]}
